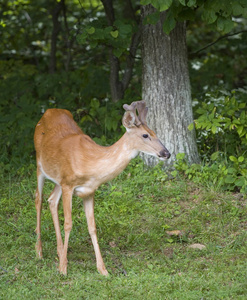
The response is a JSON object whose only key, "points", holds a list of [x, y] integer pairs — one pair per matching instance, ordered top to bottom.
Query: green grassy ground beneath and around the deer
{"points": [[146, 225]]}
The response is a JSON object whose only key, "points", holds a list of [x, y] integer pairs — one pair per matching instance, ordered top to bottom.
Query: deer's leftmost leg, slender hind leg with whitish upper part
{"points": [[38, 206]]}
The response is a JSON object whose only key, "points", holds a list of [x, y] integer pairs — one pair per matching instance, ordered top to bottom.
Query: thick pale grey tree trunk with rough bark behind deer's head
{"points": [[166, 88]]}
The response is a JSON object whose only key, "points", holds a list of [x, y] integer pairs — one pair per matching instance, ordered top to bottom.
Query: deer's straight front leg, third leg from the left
{"points": [[67, 207]]}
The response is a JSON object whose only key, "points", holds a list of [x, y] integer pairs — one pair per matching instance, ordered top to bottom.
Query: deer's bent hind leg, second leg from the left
{"points": [[53, 204]]}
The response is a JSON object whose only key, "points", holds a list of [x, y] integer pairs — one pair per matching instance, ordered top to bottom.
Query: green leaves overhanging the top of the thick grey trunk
{"points": [[216, 13]]}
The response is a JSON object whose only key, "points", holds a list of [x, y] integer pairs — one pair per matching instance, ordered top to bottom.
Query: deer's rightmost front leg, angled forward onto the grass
{"points": [[89, 212]]}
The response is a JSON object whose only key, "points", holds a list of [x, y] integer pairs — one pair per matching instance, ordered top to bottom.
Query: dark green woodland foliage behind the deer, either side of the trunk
{"points": [[61, 60]]}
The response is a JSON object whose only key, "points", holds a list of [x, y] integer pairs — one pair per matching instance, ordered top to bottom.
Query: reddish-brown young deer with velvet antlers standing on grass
{"points": [[77, 165]]}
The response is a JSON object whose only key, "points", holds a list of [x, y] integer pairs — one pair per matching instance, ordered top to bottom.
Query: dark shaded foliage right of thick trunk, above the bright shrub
{"points": [[220, 65]]}
